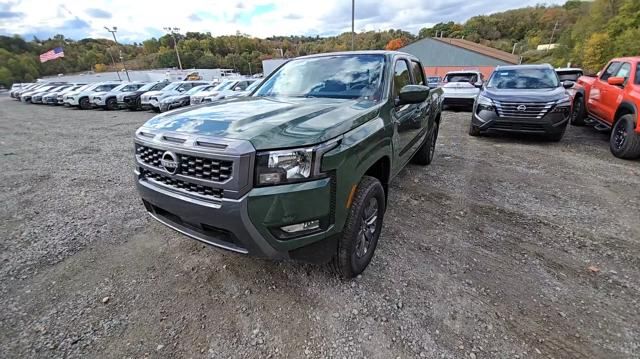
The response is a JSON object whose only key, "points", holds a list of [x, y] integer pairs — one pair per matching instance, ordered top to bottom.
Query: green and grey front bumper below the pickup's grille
{"points": [[247, 225]]}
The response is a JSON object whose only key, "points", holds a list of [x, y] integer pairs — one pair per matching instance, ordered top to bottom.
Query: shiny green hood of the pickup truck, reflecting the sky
{"points": [[270, 122]]}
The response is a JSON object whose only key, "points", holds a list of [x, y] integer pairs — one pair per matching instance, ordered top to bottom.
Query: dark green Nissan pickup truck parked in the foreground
{"points": [[300, 169]]}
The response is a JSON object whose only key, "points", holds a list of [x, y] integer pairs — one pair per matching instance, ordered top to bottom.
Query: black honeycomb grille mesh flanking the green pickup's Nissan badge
{"points": [[192, 166]]}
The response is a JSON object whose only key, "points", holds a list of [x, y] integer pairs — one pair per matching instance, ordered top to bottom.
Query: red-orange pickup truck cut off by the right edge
{"points": [[612, 101]]}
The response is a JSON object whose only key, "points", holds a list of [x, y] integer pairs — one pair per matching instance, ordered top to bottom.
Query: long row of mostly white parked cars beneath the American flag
{"points": [[112, 95]]}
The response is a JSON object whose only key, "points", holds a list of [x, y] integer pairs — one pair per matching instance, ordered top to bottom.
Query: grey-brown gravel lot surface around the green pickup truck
{"points": [[503, 248]]}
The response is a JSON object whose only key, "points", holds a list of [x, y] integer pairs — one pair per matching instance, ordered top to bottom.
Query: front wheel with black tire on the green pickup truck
{"points": [[355, 248]]}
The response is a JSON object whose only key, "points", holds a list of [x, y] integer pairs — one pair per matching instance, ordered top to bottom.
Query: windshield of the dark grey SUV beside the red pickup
{"points": [[524, 79]]}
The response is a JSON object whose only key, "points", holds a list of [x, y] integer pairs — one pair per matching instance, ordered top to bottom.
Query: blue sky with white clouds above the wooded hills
{"points": [[138, 20]]}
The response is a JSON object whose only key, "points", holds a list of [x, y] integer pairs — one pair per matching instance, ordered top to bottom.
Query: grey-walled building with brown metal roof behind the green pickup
{"points": [[441, 55]]}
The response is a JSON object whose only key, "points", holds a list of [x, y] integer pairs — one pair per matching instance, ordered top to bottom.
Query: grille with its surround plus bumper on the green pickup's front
{"points": [[226, 211]]}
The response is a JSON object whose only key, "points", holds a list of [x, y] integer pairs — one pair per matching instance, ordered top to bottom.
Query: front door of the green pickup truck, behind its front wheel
{"points": [[406, 117]]}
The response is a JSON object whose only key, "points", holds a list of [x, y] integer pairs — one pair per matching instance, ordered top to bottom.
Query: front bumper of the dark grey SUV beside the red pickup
{"points": [[551, 123]]}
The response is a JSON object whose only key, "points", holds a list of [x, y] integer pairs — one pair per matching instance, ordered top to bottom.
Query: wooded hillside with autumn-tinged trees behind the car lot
{"points": [[587, 34]]}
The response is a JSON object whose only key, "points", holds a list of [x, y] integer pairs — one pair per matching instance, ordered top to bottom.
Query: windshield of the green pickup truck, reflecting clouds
{"points": [[338, 76]]}
